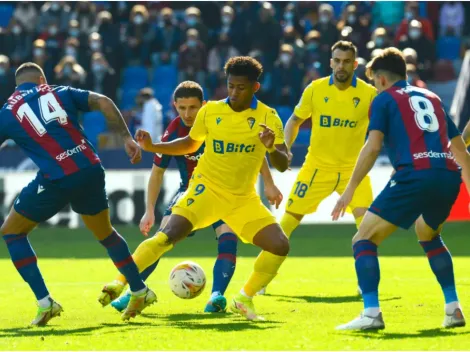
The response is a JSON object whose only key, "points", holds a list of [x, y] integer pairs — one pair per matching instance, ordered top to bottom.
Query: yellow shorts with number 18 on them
{"points": [[313, 186]]}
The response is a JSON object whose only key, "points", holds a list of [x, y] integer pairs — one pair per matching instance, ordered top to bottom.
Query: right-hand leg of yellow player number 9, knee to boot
{"points": [[275, 245]]}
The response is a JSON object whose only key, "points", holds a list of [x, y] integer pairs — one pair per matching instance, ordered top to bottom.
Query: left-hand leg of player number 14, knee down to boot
{"points": [[15, 231]]}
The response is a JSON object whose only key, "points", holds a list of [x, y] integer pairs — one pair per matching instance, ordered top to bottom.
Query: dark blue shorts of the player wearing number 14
{"points": [[43, 198]]}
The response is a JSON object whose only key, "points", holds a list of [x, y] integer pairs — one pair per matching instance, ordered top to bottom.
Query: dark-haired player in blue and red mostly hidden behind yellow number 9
{"points": [[188, 100]]}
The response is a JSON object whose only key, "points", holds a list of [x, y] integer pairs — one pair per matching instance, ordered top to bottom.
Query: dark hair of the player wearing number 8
{"points": [[391, 61]]}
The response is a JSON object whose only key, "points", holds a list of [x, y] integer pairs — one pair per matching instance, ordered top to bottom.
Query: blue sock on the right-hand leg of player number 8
{"points": [[441, 265]]}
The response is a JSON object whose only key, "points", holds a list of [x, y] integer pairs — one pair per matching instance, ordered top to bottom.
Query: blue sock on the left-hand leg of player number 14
{"points": [[25, 261]]}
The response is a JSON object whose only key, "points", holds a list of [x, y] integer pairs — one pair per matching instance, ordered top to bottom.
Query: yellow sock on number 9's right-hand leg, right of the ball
{"points": [[266, 267]]}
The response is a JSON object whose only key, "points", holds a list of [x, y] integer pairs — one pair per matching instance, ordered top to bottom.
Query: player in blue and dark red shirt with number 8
{"points": [[422, 142]]}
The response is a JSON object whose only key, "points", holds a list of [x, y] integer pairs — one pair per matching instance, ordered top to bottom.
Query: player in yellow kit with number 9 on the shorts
{"points": [[237, 131]]}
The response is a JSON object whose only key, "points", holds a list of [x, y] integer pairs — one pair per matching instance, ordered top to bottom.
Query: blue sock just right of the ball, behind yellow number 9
{"points": [[224, 266]]}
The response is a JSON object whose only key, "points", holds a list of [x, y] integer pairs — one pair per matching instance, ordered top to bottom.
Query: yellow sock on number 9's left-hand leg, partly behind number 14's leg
{"points": [[149, 252]]}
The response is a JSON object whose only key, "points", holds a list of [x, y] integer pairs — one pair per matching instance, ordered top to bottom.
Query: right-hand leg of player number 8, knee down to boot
{"points": [[441, 264]]}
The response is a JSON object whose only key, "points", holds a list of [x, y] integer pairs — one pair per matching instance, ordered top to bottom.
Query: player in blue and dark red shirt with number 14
{"points": [[43, 121]]}
